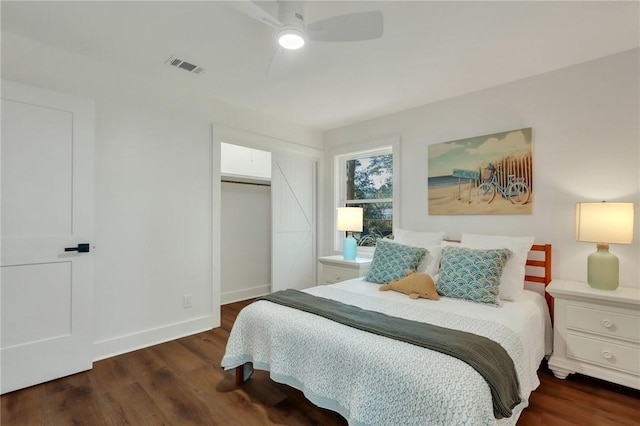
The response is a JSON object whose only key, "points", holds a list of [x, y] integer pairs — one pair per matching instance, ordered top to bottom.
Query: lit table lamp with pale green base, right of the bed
{"points": [[604, 223]]}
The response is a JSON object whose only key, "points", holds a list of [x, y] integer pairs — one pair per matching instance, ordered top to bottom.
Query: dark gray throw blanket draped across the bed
{"points": [[487, 357]]}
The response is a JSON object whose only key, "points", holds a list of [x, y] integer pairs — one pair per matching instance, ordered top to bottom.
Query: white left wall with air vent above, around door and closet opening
{"points": [[157, 192]]}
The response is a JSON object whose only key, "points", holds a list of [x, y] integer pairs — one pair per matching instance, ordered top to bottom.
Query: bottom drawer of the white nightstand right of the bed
{"points": [[607, 354]]}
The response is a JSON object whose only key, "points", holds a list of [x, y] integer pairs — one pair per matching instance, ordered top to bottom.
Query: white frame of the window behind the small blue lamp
{"points": [[389, 145]]}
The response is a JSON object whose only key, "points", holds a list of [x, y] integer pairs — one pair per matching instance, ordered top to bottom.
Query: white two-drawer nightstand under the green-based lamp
{"points": [[596, 332]]}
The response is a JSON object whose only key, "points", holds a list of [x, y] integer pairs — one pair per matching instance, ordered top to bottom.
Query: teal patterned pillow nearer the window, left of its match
{"points": [[391, 261]]}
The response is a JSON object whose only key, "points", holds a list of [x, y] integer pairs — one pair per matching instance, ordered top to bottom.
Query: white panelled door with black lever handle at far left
{"points": [[47, 206]]}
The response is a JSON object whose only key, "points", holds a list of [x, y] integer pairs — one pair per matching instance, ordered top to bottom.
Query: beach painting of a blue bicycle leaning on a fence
{"points": [[482, 175]]}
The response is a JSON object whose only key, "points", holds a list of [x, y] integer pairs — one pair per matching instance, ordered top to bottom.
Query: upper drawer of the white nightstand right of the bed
{"points": [[609, 323]]}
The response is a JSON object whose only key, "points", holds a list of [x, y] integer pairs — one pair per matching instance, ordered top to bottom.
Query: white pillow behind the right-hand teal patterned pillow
{"points": [[512, 279]]}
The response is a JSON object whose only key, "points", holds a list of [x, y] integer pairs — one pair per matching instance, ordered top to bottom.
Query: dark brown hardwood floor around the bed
{"points": [[181, 383]]}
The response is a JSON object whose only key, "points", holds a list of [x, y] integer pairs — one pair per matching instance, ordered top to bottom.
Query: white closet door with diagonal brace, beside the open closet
{"points": [[293, 204]]}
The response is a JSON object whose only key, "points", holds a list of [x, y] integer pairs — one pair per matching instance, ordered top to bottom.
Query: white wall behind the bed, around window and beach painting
{"points": [[586, 133]]}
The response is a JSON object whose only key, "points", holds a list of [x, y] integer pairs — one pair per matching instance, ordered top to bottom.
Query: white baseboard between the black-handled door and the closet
{"points": [[122, 344]]}
